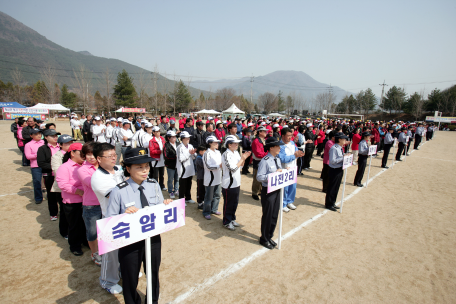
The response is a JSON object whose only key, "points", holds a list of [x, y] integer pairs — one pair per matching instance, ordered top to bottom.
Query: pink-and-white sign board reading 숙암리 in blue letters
{"points": [[124, 229]]}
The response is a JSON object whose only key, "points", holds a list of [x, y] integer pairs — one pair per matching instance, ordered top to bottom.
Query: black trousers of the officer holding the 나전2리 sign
{"points": [[270, 204]]}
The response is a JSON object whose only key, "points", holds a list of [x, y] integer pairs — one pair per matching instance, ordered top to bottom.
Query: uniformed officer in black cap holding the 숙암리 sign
{"points": [[129, 197]]}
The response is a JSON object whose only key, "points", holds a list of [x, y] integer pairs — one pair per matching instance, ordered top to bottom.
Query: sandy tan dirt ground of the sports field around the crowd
{"points": [[394, 242]]}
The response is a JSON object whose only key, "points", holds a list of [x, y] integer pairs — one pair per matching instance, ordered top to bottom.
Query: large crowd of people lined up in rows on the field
{"points": [[113, 166]]}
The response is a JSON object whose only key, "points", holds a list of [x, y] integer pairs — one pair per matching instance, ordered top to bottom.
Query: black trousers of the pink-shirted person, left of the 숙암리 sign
{"points": [[76, 227]]}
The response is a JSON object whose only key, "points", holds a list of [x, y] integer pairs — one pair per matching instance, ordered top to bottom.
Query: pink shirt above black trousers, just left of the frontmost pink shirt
{"points": [[68, 181]]}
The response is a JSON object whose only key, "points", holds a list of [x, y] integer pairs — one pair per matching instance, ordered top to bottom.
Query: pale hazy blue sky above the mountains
{"points": [[350, 44]]}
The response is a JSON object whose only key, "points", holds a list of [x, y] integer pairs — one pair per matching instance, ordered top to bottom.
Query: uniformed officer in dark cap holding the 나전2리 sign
{"points": [[270, 202]]}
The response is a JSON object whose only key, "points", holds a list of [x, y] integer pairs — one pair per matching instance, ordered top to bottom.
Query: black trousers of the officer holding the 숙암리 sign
{"points": [[131, 258]]}
